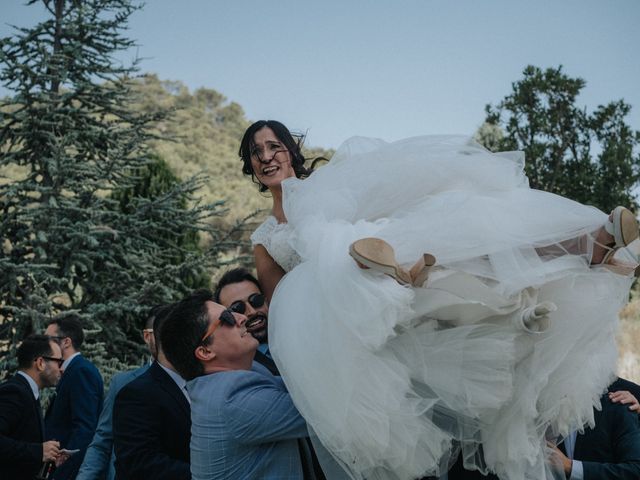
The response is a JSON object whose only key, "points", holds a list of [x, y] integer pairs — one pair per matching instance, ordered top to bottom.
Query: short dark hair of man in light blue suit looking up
{"points": [[182, 332]]}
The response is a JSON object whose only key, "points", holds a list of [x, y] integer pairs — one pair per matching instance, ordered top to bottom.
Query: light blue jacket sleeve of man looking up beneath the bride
{"points": [[260, 410]]}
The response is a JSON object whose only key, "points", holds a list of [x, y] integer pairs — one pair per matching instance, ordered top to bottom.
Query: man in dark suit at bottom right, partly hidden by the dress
{"points": [[609, 451]]}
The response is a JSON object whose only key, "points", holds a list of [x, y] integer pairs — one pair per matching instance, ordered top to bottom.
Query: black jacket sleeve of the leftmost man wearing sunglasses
{"points": [[12, 407]]}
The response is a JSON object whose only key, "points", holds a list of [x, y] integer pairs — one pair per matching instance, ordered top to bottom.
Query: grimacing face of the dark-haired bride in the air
{"points": [[270, 159]]}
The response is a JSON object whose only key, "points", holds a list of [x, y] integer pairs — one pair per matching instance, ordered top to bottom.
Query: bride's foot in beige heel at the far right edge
{"points": [[621, 229]]}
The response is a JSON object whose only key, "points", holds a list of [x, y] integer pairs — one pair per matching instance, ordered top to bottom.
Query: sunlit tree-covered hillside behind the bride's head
{"points": [[203, 135]]}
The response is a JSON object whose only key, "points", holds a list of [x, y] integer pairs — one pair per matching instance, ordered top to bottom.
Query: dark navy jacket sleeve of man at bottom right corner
{"points": [[625, 438]]}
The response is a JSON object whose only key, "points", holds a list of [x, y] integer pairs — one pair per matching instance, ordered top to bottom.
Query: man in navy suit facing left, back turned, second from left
{"points": [[72, 417]]}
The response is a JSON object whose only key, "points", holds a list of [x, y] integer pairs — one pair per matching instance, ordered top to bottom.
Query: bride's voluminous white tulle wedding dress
{"points": [[394, 380]]}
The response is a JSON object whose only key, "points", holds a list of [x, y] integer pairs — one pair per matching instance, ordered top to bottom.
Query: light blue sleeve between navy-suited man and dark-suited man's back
{"points": [[97, 461]]}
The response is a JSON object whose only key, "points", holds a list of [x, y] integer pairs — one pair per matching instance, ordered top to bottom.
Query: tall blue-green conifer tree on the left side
{"points": [[77, 232]]}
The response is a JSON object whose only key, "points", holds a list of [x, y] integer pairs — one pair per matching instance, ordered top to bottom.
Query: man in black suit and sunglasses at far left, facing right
{"points": [[22, 446]]}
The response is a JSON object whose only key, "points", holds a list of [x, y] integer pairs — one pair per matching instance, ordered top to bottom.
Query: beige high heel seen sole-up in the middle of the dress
{"points": [[378, 255]]}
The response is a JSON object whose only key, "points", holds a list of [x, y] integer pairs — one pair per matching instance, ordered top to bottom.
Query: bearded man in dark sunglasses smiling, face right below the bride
{"points": [[240, 292]]}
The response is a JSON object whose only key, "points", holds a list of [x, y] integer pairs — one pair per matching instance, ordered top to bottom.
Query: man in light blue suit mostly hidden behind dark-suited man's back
{"points": [[99, 461]]}
